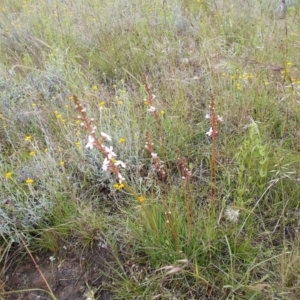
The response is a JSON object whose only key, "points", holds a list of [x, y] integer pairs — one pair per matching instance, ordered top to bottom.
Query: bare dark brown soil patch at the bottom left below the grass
{"points": [[73, 274]]}
